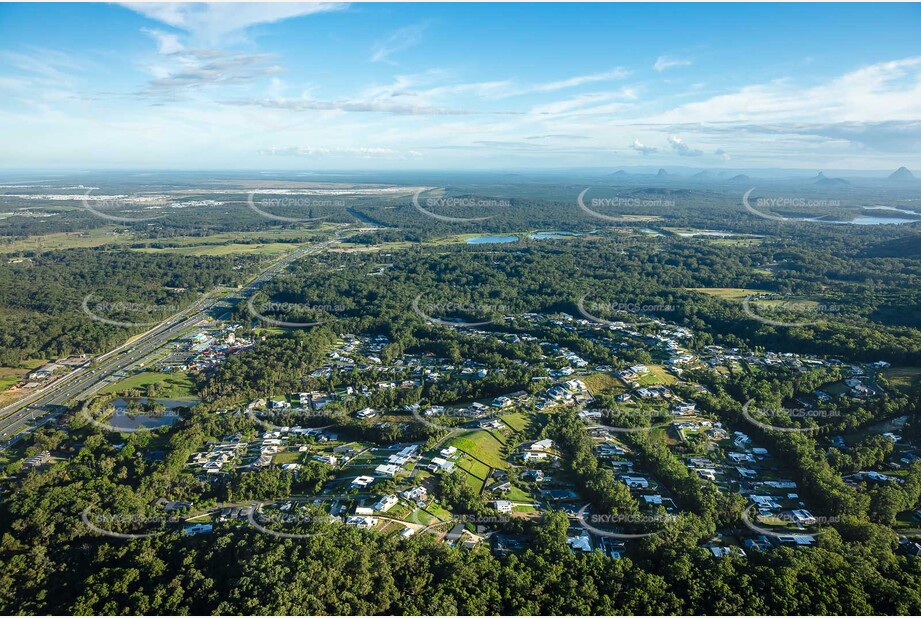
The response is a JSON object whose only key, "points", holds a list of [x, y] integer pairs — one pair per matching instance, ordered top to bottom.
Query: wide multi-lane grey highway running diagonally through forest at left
{"points": [[48, 402]]}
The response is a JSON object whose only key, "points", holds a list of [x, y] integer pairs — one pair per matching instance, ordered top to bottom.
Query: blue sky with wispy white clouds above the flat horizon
{"points": [[300, 86]]}
